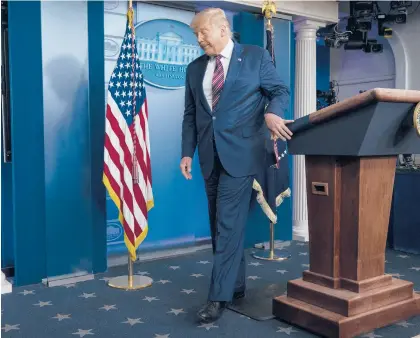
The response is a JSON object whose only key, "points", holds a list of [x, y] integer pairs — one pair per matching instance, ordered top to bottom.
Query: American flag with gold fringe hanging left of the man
{"points": [[127, 169]]}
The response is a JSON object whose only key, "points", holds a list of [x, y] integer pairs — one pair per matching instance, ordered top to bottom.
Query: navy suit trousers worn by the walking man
{"points": [[228, 202]]}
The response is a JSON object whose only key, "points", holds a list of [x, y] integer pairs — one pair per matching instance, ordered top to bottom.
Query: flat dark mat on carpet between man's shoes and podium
{"points": [[258, 302]]}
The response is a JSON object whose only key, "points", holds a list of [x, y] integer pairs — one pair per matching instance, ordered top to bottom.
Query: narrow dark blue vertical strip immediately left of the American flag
{"points": [[97, 128]]}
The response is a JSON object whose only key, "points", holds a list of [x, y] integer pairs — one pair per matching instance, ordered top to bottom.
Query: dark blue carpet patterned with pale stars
{"points": [[167, 308]]}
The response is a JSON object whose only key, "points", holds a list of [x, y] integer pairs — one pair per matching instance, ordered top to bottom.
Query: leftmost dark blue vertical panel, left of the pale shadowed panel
{"points": [[27, 127]]}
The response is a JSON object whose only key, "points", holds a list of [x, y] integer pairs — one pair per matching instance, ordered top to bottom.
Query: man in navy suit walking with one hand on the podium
{"points": [[226, 92]]}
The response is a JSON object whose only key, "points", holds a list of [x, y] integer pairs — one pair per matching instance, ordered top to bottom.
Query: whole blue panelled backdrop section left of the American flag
{"points": [[56, 217]]}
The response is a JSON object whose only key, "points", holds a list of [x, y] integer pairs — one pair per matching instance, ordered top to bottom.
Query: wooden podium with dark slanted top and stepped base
{"points": [[350, 153]]}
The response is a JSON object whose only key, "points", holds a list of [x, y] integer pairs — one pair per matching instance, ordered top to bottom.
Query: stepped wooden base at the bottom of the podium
{"points": [[349, 314]]}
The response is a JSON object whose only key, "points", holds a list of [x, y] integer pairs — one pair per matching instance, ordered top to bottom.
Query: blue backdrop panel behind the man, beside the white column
{"points": [[251, 29]]}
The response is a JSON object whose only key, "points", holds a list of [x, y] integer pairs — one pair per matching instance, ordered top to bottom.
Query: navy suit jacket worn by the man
{"points": [[237, 123]]}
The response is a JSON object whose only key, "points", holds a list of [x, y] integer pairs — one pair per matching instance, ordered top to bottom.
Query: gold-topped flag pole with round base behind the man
{"points": [[268, 9]]}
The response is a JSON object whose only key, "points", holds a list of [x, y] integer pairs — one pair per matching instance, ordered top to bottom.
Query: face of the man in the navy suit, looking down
{"points": [[210, 37]]}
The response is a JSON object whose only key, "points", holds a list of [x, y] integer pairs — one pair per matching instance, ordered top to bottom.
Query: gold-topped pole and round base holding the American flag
{"points": [[130, 281]]}
